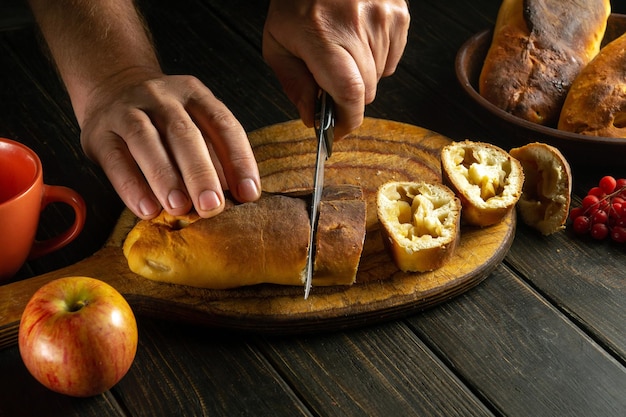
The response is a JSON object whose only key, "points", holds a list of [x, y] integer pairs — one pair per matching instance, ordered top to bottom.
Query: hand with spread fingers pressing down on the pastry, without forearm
{"points": [[166, 141]]}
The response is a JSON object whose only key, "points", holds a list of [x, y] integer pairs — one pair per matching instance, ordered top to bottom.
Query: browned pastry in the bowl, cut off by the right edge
{"points": [[596, 103]]}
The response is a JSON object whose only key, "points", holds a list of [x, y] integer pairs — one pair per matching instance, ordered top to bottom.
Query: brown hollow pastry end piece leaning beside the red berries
{"points": [[547, 190]]}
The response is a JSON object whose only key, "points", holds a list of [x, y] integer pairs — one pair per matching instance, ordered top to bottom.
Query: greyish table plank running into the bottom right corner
{"points": [[521, 355]]}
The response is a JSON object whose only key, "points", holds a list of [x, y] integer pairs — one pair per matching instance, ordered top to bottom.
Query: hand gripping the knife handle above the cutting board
{"points": [[344, 47]]}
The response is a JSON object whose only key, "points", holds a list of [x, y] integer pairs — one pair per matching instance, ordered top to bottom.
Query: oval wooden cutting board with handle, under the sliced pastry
{"points": [[379, 151]]}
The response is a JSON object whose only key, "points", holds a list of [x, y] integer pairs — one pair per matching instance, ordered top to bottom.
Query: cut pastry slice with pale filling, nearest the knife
{"points": [[421, 223]]}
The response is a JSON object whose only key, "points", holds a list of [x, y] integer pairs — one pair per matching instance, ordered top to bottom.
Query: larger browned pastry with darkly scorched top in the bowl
{"points": [[538, 49]]}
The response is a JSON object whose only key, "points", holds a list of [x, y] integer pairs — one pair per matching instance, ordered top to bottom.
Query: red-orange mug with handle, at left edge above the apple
{"points": [[23, 196]]}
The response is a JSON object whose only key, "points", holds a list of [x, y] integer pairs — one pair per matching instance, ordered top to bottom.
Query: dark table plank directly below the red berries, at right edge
{"points": [[590, 290]]}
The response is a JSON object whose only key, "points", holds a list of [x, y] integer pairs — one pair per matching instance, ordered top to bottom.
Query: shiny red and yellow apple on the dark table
{"points": [[78, 336]]}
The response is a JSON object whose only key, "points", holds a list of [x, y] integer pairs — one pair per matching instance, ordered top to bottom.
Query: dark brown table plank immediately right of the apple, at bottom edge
{"points": [[182, 370]]}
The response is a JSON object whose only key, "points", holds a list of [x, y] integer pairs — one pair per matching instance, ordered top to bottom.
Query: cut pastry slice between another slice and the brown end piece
{"points": [[487, 180]]}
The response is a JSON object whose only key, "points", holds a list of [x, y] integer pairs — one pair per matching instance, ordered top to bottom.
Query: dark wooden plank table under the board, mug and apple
{"points": [[543, 335]]}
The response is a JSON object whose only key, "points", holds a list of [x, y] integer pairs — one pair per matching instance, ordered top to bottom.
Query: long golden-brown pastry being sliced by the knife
{"points": [[252, 243]]}
